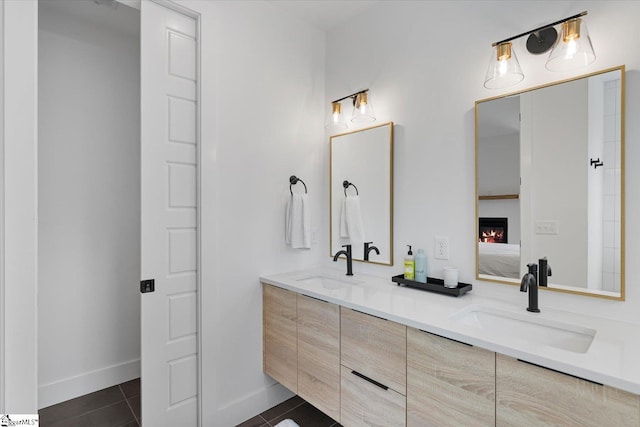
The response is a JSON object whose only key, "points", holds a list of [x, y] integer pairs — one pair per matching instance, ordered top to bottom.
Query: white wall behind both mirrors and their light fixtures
{"points": [[425, 77]]}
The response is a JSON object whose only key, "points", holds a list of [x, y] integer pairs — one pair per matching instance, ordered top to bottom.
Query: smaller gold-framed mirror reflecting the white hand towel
{"points": [[361, 180]]}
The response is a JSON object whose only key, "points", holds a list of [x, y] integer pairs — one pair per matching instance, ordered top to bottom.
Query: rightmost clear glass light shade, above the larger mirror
{"points": [[573, 50]]}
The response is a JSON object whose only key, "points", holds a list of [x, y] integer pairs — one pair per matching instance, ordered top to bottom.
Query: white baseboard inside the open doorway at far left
{"points": [[69, 388]]}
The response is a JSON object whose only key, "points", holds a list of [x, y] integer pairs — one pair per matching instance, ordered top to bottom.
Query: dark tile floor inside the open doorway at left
{"points": [[112, 407]]}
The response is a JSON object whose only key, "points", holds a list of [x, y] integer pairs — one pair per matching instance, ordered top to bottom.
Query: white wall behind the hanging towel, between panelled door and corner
{"points": [[262, 121]]}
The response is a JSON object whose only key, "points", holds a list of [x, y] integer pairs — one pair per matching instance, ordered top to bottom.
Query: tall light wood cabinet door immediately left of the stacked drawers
{"points": [[319, 354]]}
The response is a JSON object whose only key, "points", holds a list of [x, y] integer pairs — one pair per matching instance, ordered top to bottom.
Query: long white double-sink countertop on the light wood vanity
{"points": [[612, 359]]}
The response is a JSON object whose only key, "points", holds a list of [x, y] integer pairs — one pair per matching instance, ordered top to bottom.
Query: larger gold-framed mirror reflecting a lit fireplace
{"points": [[550, 183]]}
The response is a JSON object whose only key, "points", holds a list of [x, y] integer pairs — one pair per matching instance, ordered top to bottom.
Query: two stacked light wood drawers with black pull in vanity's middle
{"points": [[374, 370]]}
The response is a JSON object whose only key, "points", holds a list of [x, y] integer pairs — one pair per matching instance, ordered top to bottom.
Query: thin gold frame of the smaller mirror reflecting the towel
{"points": [[388, 249]]}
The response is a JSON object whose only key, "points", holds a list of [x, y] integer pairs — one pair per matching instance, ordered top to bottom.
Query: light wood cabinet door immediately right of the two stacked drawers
{"points": [[448, 383]]}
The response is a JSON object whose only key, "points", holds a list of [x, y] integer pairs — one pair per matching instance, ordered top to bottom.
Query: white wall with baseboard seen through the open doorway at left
{"points": [[89, 199]]}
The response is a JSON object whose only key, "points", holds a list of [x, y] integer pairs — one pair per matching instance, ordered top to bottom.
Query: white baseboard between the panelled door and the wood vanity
{"points": [[250, 405]]}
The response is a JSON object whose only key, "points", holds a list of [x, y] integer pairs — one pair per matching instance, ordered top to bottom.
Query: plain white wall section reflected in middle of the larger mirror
{"points": [[553, 136]]}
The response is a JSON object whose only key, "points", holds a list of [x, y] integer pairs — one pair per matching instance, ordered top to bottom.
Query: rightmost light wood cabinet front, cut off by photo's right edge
{"points": [[529, 395]]}
